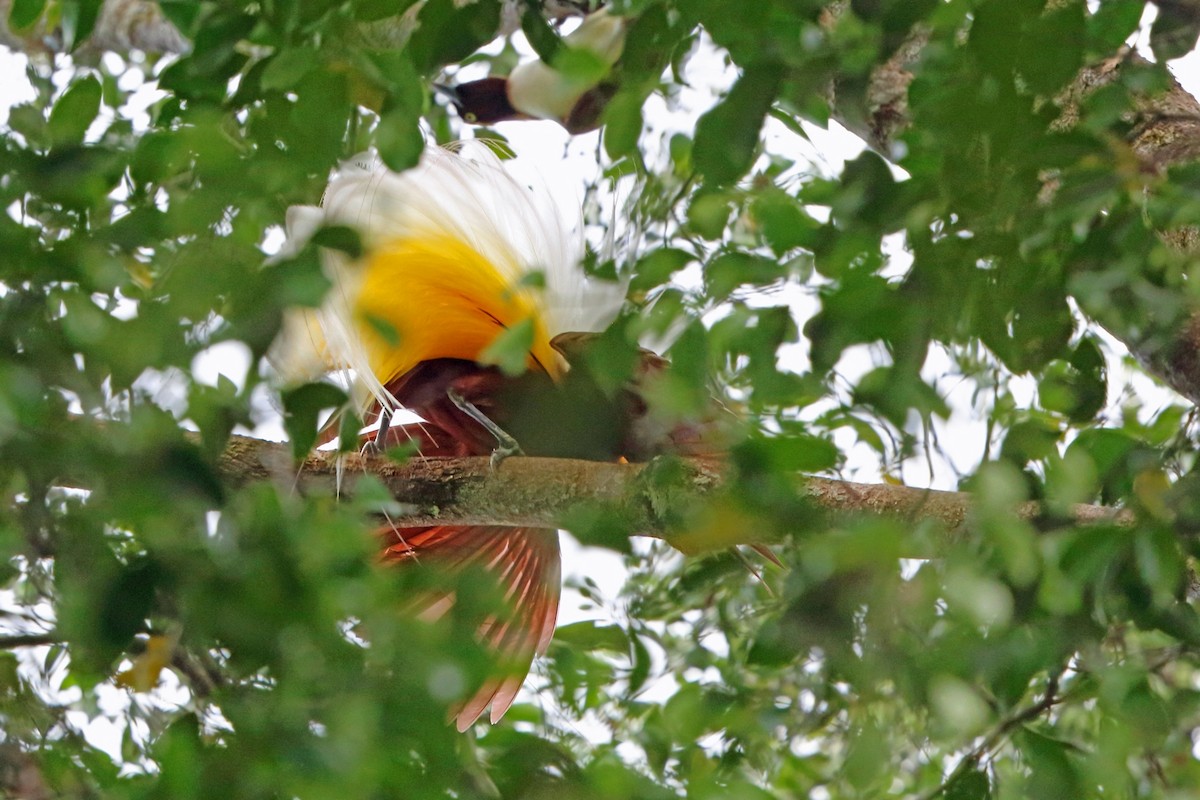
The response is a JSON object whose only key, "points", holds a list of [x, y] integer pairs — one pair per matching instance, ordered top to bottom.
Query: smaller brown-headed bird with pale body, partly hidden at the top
{"points": [[573, 94]]}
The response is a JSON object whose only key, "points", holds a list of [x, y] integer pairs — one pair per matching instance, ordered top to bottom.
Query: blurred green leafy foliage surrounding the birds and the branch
{"points": [[1007, 659]]}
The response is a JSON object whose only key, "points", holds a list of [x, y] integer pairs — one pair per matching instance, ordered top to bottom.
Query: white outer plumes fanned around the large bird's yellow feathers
{"points": [[466, 194]]}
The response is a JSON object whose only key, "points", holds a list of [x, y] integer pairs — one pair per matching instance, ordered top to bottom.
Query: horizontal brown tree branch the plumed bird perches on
{"points": [[541, 492]]}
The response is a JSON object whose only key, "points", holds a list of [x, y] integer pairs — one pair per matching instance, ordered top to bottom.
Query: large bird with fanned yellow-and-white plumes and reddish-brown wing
{"points": [[455, 254]]}
